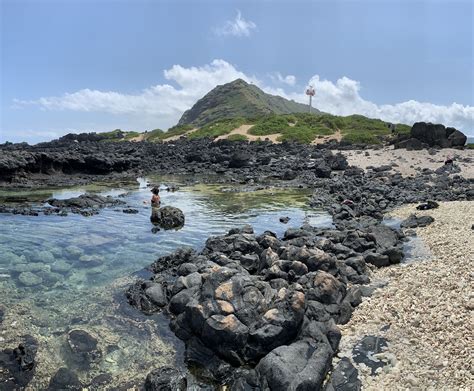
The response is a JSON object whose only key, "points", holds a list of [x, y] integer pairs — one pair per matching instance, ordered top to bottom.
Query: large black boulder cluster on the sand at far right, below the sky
{"points": [[425, 135]]}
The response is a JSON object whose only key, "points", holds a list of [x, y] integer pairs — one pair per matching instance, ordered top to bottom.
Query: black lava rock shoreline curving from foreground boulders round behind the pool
{"points": [[254, 310]]}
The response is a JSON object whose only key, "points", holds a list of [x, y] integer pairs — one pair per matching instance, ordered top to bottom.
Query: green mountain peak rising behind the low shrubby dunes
{"points": [[238, 99]]}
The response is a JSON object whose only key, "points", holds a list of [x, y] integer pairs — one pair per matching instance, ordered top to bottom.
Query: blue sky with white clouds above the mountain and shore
{"points": [[82, 65]]}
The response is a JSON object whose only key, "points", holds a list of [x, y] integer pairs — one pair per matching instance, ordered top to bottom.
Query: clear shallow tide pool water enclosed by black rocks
{"points": [[62, 273]]}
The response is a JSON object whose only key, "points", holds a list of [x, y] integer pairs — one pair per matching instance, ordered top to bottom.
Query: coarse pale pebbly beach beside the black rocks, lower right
{"points": [[425, 311]]}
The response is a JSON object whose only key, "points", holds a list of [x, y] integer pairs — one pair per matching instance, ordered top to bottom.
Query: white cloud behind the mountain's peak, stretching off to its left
{"points": [[162, 104]]}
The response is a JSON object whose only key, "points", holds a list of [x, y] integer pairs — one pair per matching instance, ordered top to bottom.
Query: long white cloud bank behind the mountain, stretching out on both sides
{"points": [[162, 105]]}
